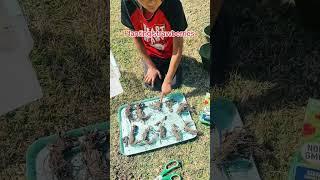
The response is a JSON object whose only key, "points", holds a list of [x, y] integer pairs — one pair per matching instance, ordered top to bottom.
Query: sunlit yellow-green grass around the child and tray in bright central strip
{"points": [[195, 154]]}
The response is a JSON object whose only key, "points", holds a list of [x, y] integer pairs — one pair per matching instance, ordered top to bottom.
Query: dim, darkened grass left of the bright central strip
{"points": [[71, 64]]}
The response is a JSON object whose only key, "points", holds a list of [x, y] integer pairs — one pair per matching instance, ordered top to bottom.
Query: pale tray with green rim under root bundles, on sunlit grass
{"points": [[155, 116]]}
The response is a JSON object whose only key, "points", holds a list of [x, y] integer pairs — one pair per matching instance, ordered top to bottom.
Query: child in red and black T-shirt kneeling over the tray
{"points": [[161, 55]]}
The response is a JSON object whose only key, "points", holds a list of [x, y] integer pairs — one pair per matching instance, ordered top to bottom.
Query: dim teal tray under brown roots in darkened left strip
{"points": [[37, 150]]}
